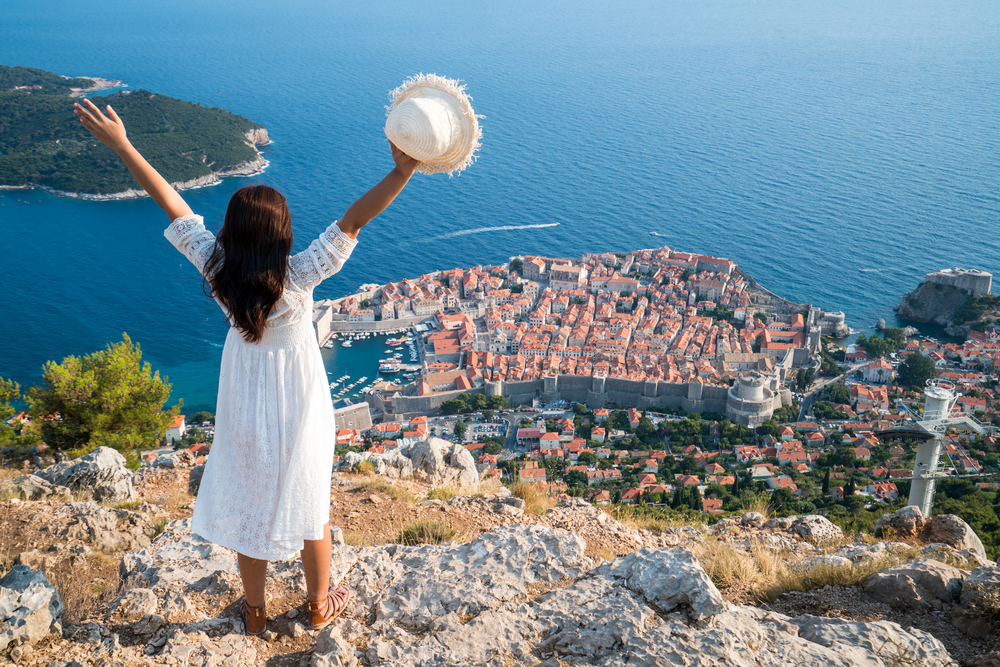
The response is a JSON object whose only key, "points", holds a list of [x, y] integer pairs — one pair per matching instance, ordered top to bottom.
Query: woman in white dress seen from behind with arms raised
{"points": [[266, 487]]}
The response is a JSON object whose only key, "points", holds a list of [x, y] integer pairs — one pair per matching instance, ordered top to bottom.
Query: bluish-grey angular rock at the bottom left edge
{"points": [[30, 607]]}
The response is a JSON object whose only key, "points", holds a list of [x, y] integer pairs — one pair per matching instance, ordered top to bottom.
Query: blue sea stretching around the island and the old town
{"points": [[836, 150]]}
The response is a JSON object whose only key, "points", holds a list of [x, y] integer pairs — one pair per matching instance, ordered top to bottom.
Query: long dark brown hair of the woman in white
{"points": [[248, 266]]}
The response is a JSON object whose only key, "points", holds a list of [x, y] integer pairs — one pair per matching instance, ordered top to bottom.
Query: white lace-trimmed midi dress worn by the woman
{"points": [[266, 486]]}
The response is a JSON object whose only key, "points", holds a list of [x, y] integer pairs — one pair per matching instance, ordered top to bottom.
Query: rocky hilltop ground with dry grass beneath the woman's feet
{"points": [[572, 586]]}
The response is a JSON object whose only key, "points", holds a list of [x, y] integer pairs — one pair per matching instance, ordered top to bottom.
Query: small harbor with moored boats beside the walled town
{"points": [[356, 362]]}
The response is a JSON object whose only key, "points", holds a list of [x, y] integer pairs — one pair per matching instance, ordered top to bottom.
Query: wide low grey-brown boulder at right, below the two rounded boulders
{"points": [[920, 585]]}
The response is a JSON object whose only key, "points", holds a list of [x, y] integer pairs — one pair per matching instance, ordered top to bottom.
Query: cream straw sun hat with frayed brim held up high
{"points": [[431, 120]]}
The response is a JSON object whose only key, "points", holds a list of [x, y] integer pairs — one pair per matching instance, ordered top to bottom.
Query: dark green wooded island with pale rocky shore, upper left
{"points": [[42, 145]]}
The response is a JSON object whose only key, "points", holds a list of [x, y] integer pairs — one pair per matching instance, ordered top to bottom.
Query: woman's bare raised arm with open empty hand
{"points": [[110, 131]]}
